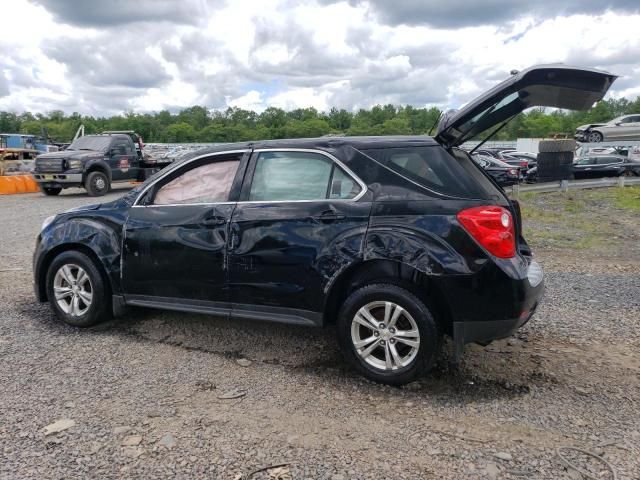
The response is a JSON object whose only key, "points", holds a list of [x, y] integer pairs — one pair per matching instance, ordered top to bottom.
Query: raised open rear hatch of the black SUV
{"points": [[559, 86]]}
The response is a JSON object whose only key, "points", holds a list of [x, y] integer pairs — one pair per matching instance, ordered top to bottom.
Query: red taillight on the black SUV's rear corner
{"points": [[492, 227]]}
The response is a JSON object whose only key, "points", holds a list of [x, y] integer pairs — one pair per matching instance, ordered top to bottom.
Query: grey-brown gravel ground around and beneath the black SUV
{"points": [[144, 395]]}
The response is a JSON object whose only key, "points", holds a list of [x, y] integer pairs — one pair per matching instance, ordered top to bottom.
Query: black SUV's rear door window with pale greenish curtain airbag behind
{"points": [[293, 176]]}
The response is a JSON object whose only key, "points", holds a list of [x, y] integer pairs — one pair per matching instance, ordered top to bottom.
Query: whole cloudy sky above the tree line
{"points": [[106, 57]]}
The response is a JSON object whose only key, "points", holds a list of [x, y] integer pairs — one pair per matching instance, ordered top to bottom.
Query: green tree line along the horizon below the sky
{"points": [[200, 124]]}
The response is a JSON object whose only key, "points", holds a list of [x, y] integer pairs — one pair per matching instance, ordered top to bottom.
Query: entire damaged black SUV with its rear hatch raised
{"points": [[395, 240]]}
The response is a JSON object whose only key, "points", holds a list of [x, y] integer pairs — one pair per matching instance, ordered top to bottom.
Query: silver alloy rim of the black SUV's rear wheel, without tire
{"points": [[385, 335]]}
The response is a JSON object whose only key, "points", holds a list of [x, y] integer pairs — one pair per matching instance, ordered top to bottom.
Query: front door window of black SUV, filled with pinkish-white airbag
{"points": [[209, 183]]}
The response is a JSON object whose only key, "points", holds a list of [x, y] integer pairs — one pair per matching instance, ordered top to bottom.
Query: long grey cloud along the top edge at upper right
{"points": [[462, 13]]}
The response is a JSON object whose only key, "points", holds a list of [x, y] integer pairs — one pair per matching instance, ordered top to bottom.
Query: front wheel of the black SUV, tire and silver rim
{"points": [[76, 290]]}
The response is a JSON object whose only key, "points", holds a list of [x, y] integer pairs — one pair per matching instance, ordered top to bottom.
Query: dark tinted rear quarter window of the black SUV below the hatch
{"points": [[435, 169]]}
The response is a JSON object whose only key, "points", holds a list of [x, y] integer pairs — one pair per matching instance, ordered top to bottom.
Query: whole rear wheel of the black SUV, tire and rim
{"points": [[388, 334]]}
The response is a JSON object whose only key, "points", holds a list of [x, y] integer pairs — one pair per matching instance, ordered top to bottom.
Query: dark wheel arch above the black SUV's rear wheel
{"points": [[422, 285]]}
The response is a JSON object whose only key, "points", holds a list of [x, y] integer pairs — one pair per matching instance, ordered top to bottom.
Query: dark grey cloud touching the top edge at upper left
{"points": [[105, 14]]}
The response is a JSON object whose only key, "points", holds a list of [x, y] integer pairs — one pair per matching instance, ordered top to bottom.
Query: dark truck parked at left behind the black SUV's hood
{"points": [[93, 162]]}
